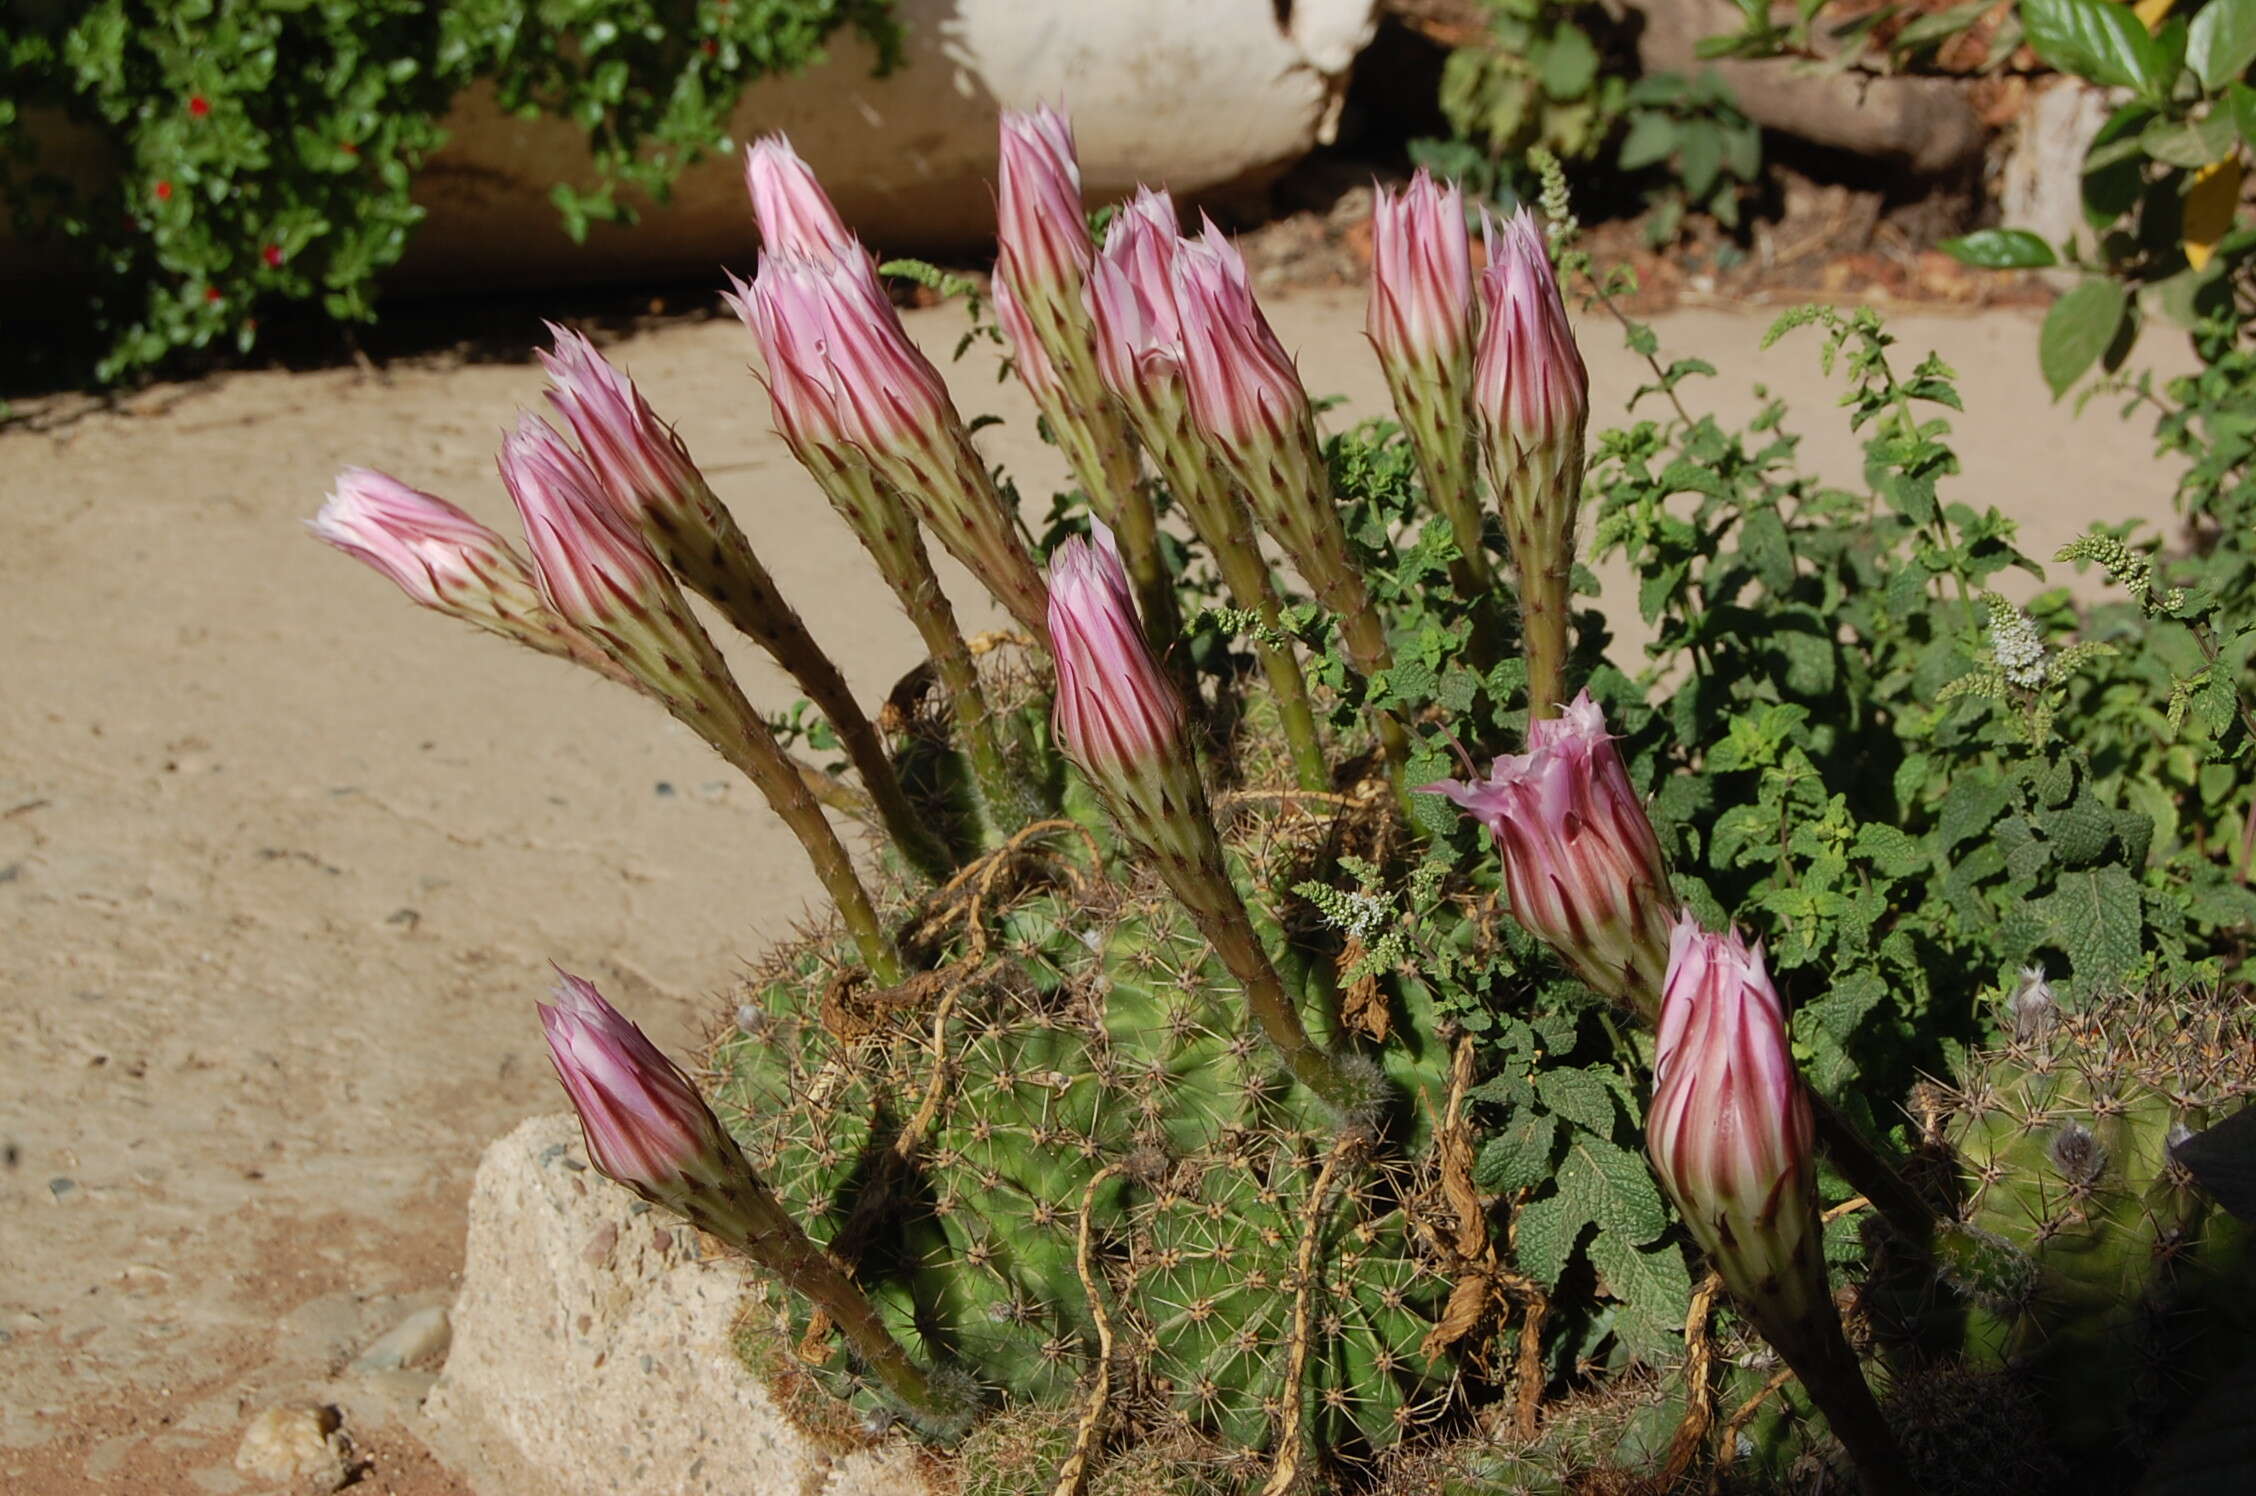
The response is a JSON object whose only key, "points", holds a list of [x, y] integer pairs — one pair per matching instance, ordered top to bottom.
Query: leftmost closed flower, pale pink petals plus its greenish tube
{"points": [[446, 561]]}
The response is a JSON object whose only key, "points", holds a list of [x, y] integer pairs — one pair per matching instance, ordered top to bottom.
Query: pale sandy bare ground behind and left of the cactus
{"points": [[283, 861]]}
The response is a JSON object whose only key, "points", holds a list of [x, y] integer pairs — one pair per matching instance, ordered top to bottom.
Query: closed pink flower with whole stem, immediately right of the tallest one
{"points": [[1140, 358]]}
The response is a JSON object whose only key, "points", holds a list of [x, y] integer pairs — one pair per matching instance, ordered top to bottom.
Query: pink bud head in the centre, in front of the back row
{"points": [[1116, 707]]}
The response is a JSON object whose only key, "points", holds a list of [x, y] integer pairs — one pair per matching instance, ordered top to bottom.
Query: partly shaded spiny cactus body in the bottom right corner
{"points": [[2090, 1265]]}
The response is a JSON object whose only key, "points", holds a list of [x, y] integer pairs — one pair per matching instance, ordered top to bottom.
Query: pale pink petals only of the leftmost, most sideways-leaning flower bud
{"points": [[434, 552]]}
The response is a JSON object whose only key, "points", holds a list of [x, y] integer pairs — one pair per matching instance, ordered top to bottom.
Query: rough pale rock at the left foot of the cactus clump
{"points": [[592, 1350]]}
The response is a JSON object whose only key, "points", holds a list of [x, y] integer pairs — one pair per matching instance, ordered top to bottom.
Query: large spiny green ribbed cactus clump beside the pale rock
{"points": [[1107, 1062]]}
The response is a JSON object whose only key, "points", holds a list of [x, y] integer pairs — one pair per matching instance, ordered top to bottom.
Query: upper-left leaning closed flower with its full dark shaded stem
{"points": [[653, 484]]}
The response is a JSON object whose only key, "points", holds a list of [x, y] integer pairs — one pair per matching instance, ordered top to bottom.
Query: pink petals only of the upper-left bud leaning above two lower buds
{"points": [[642, 464]]}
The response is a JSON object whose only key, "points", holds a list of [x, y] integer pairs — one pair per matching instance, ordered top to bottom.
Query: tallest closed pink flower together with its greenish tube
{"points": [[1043, 258]]}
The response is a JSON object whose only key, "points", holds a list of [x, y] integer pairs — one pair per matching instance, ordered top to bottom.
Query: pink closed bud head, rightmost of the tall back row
{"points": [[1528, 380]]}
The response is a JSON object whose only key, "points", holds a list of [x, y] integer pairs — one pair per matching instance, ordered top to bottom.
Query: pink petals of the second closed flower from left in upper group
{"points": [[594, 570]]}
